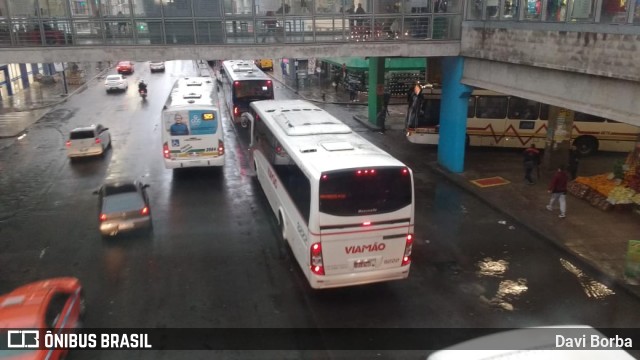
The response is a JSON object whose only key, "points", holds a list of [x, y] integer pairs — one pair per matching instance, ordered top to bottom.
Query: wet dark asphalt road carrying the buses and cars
{"points": [[215, 258]]}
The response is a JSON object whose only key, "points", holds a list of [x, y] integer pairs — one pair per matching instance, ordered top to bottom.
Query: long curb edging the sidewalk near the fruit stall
{"points": [[592, 267]]}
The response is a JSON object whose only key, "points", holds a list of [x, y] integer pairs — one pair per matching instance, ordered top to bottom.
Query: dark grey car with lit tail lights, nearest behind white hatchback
{"points": [[123, 206]]}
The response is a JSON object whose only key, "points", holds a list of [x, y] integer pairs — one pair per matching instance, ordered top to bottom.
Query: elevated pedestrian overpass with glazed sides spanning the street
{"points": [[576, 54]]}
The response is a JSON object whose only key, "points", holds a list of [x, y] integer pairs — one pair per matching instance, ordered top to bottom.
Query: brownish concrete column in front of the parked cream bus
{"points": [[558, 140]]}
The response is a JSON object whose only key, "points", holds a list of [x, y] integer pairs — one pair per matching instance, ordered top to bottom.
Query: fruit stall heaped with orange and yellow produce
{"points": [[618, 190]]}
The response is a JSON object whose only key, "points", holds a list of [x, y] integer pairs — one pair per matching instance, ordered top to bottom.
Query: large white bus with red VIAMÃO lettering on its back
{"points": [[344, 206]]}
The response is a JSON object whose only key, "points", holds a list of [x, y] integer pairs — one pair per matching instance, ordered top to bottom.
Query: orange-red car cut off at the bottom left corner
{"points": [[56, 303]]}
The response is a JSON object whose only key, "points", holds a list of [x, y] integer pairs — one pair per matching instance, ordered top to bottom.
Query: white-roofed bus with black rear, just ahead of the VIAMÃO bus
{"points": [[243, 82]]}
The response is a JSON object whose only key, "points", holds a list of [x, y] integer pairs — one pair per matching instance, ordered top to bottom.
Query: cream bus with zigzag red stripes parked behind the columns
{"points": [[495, 119]]}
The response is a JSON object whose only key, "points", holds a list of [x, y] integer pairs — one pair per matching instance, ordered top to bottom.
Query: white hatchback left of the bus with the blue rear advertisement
{"points": [[90, 140]]}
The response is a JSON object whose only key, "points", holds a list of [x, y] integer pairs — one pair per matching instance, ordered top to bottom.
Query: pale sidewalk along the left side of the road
{"points": [[20, 111]]}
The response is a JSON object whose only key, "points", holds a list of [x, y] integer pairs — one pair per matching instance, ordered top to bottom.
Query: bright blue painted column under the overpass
{"points": [[453, 115]]}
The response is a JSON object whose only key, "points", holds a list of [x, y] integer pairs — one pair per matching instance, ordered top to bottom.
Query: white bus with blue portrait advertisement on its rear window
{"points": [[192, 133]]}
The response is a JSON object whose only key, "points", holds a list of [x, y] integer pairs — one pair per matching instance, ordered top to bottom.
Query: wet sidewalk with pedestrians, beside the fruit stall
{"points": [[597, 238]]}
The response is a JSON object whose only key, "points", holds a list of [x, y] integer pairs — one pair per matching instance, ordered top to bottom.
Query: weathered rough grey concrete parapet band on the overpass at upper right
{"points": [[610, 55]]}
